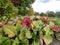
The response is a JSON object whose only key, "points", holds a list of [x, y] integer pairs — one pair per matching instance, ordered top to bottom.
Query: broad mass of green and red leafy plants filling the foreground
{"points": [[28, 32]]}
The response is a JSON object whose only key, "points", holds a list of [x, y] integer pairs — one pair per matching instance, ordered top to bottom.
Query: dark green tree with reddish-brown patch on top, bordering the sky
{"points": [[23, 6]]}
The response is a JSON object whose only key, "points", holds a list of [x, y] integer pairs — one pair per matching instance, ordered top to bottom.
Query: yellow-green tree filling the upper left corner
{"points": [[7, 9]]}
